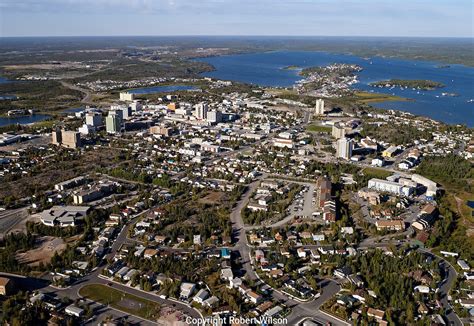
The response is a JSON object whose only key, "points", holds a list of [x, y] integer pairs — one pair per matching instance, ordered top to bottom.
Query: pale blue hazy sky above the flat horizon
{"points": [[437, 18]]}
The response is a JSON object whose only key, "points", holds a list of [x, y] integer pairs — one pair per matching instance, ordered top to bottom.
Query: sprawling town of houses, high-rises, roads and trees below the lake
{"points": [[220, 203]]}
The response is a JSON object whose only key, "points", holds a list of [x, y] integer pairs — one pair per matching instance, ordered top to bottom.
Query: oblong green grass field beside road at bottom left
{"points": [[120, 300]]}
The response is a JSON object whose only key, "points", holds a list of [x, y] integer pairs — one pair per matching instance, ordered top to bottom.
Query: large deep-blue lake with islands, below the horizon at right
{"points": [[265, 69]]}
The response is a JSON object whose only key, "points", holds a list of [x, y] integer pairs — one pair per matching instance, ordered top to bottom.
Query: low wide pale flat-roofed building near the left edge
{"points": [[63, 215]]}
